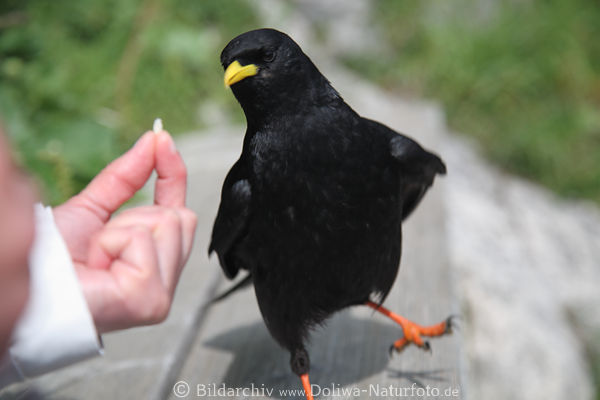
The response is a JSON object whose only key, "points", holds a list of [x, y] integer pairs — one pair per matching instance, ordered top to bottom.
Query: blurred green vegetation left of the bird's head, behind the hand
{"points": [[81, 80]]}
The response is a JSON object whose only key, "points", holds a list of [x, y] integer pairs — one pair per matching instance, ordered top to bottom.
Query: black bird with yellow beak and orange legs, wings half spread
{"points": [[313, 207]]}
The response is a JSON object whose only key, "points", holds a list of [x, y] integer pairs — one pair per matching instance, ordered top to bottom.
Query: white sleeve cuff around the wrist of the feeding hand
{"points": [[56, 328]]}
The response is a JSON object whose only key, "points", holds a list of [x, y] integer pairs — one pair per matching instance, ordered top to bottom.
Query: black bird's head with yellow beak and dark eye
{"points": [[267, 70]]}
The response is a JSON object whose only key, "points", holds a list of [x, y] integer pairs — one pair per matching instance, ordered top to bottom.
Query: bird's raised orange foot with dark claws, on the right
{"points": [[413, 332]]}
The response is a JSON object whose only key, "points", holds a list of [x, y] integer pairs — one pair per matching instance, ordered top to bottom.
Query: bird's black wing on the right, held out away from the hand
{"points": [[418, 168]]}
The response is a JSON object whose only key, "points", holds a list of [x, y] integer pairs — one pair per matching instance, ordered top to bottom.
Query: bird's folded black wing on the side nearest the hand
{"points": [[232, 218]]}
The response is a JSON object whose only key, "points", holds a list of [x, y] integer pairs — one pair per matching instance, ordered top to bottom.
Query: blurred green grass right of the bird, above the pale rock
{"points": [[522, 77]]}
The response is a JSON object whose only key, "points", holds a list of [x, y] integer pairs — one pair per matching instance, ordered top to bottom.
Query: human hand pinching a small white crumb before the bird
{"points": [[129, 265]]}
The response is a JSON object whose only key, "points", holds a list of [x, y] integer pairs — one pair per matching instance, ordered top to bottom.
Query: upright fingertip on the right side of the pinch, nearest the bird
{"points": [[170, 188]]}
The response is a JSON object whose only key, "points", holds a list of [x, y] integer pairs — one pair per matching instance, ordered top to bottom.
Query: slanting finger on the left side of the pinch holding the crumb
{"points": [[120, 180]]}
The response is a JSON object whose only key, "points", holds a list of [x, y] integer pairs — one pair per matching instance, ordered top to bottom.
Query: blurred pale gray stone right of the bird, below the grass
{"points": [[526, 266]]}
